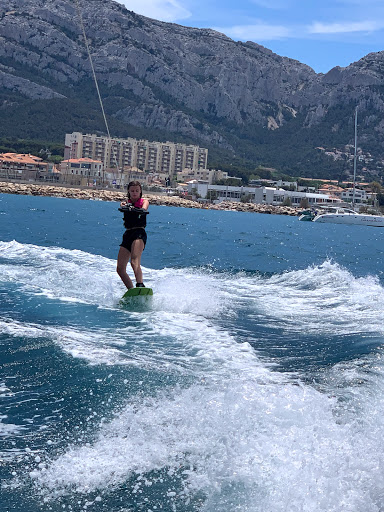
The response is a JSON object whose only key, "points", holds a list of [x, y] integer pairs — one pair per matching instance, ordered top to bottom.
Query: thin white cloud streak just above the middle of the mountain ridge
{"points": [[256, 32]]}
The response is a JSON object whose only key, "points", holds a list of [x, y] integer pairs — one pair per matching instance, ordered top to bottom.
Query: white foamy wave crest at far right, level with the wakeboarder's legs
{"points": [[321, 299]]}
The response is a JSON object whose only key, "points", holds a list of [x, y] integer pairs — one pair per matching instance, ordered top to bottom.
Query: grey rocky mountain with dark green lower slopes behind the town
{"points": [[166, 81]]}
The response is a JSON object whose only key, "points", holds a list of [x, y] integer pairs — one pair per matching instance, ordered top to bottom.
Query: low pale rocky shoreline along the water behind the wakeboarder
{"points": [[33, 189]]}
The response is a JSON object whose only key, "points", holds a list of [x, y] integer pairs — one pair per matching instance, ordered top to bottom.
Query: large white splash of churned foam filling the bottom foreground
{"points": [[244, 445]]}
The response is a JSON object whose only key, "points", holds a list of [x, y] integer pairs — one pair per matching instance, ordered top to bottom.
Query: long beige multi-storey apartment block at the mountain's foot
{"points": [[163, 157]]}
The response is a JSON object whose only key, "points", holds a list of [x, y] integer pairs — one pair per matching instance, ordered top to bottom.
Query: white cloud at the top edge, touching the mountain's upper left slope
{"points": [[164, 10]]}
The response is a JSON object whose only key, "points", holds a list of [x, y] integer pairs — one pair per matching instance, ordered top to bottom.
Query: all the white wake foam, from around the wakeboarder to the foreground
{"points": [[245, 437]]}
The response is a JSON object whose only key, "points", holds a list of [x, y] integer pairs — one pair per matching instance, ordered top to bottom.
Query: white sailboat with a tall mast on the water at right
{"points": [[339, 215]]}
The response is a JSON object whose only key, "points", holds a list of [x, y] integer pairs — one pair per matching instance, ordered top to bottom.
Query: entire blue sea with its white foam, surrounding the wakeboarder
{"points": [[252, 381]]}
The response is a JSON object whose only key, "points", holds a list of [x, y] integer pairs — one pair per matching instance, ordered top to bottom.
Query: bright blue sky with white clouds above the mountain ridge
{"points": [[320, 33]]}
